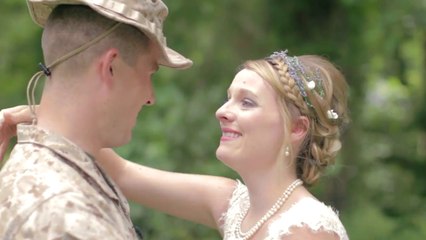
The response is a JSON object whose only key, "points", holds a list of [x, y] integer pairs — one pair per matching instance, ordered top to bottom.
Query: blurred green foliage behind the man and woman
{"points": [[379, 182]]}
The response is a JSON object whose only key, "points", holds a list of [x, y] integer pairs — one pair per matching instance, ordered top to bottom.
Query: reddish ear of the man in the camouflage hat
{"points": [[107, 63]]}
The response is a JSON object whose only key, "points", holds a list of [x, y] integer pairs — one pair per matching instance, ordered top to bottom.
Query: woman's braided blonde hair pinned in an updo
{"points": [[322, 141]]}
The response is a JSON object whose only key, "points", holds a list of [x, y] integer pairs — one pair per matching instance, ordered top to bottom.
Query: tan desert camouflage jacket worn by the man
{"points": [[51, 189]]}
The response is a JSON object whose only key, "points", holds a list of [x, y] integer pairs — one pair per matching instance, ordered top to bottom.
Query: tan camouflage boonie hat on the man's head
{"points": [[146, 15]]}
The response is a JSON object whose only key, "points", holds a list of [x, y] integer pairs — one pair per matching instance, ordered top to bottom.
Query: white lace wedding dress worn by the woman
{"points": [[308, 212]]}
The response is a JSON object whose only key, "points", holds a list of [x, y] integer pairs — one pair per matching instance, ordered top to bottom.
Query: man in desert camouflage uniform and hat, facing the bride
{"points": [[99, 55]]}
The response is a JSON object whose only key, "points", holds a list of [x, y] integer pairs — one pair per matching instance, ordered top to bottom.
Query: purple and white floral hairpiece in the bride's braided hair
{"points": [[304, 79]]}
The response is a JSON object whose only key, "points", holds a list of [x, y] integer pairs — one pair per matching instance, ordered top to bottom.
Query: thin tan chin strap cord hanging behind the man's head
{"points": [[46, 70]]}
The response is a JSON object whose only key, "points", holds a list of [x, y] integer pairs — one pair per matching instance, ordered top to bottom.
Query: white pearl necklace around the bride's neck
{"points": [[274, 209]]}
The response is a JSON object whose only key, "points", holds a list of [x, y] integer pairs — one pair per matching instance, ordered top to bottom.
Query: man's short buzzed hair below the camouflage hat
{"points": [[70, 26]]}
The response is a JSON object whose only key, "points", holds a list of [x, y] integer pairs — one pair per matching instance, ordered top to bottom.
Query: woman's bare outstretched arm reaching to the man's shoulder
{"points": [[197, 198]]}
